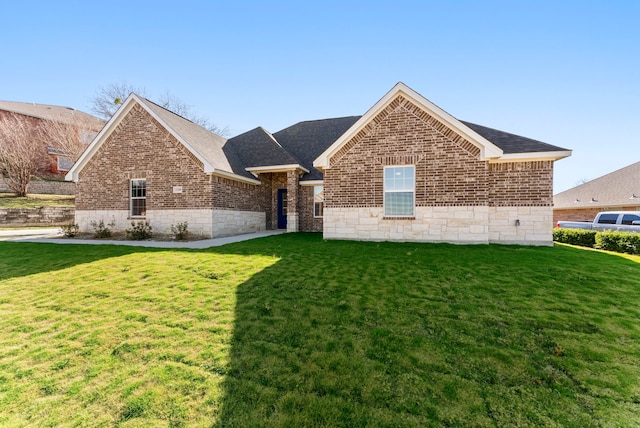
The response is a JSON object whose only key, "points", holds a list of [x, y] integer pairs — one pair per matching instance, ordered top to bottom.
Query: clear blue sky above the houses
{"points": [[563, 72]]}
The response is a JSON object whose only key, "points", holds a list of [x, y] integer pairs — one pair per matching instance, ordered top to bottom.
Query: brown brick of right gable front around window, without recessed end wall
{"points": [[448, 171]]}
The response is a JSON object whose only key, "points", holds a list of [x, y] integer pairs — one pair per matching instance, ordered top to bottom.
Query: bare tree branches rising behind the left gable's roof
{"points": [[108, 99]]}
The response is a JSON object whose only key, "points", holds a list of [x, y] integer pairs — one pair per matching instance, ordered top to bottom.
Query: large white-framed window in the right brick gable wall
{"points": [[399, 191]]}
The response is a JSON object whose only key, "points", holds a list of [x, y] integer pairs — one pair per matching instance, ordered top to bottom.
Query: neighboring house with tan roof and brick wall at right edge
{"points": [[616, 191]]}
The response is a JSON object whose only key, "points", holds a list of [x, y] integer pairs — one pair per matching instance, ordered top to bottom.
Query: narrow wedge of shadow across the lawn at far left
{"points": [[24, 258]]}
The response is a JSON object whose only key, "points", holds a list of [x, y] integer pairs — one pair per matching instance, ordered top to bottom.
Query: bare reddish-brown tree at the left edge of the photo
{"points": [[22, 152]]}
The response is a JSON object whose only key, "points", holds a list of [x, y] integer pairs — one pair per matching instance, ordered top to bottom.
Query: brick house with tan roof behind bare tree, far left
{"points": [[41, 115]]}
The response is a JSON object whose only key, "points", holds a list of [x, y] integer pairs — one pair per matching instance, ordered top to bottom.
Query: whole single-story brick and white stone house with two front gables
{"points": [[406, 170]]}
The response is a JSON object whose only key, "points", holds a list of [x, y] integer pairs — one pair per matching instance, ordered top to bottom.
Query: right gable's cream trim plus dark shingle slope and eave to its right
{"points": [[494, 145]]}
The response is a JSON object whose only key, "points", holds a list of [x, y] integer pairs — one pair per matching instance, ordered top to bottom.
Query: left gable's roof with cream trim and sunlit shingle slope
{"points": [[206, 146]]}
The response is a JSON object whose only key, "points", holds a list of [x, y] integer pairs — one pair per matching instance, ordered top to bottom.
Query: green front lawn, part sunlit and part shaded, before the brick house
{"points": [[295, 331]]}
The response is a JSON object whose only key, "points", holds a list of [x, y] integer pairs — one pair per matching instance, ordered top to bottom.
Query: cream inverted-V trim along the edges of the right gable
{"points": [[488, 150]]}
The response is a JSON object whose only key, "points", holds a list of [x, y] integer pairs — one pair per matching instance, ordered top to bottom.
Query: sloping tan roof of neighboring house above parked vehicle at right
{"points": [[616, 189]]}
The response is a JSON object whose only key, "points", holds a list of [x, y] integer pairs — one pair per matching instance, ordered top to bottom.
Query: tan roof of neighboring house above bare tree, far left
{"points": [[53, 113]]}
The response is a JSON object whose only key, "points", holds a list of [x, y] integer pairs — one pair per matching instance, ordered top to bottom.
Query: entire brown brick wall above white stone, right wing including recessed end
{"points": [[448, 169]]}
